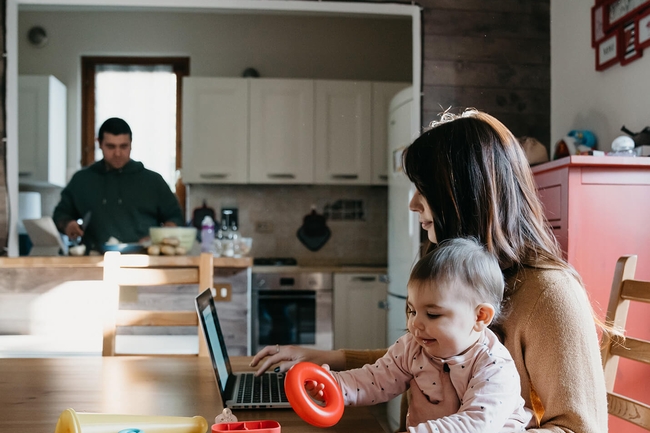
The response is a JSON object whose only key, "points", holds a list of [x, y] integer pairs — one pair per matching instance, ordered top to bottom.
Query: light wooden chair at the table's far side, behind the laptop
{"points": [[142, 270]]}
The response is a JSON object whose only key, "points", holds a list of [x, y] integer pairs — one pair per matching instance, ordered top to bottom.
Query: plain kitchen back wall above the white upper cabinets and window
{"points": [[219, 44]]}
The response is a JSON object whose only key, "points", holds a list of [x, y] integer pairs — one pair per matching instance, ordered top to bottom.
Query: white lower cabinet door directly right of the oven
{"points": [[359, 310]]}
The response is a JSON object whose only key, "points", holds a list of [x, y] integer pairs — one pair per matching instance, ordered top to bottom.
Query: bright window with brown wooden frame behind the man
{"points": [[146, 92]]}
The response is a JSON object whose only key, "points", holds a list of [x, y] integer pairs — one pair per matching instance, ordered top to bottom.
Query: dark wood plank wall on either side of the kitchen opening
{"points": [[493, 55]]}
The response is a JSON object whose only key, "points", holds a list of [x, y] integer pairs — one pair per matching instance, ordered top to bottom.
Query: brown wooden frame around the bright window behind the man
{"points": [[180, 66]]}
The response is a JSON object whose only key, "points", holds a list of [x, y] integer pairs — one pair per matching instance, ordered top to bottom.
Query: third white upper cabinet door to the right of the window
{"points": [[343, 132]]}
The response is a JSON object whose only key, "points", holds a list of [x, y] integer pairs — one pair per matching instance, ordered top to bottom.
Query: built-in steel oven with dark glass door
{"points": [[291, 307]]}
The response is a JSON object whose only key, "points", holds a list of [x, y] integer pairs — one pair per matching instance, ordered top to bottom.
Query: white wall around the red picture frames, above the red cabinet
{"points": [[583, 98]]}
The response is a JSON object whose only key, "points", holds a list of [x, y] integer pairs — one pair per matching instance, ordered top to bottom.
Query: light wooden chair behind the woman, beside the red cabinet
{"points": [[624, 290]]}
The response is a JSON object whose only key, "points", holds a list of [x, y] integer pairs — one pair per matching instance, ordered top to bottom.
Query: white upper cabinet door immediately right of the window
{"points": [[215, 130]]}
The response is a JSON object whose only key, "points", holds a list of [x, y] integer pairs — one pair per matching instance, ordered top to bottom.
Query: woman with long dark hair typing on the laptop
{"points": [[472, 179]]}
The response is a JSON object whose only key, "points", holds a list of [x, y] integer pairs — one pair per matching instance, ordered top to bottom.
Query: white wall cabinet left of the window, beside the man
{"points": [[41, 130]]}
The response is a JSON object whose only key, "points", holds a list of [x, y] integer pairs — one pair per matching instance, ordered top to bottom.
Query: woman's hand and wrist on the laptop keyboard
{"points": [[287, 356]]}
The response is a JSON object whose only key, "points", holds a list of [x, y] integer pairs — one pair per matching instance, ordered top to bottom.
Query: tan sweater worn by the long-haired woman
{"points": [[549, 330]]}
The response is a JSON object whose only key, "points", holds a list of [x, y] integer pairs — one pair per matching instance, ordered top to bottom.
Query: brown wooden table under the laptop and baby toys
{"points": [[34, 392]]}
